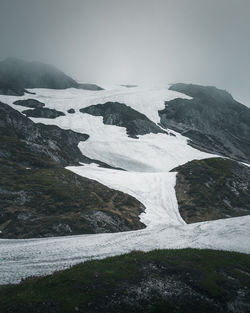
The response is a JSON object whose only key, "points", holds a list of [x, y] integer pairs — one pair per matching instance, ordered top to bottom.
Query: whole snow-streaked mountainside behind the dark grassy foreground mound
{"points": [[81, 161]]}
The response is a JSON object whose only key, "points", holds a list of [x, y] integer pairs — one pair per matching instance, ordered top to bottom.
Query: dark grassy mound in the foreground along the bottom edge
{"points": [[170, 281]]}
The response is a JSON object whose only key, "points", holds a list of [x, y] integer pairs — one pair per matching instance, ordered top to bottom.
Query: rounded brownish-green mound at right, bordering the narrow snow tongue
{"points": [[212, 188]]}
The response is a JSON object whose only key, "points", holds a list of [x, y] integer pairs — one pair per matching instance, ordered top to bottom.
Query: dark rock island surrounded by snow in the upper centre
{"points": [[119, 114]]}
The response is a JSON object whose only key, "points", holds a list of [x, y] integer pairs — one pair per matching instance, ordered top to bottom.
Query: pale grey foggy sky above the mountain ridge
{"points": [[134, 41]]}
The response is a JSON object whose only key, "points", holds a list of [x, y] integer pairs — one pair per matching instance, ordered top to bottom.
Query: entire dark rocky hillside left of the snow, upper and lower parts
{"points": [[38, 197]]}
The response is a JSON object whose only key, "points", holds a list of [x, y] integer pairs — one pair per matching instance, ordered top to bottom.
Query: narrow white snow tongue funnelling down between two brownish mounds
{"points": [[154, 190]]}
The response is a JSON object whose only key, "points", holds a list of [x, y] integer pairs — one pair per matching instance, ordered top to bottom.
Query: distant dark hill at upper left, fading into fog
{"points": [[16, 76]]}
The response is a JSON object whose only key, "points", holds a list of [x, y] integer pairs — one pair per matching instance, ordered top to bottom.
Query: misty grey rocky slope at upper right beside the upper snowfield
{"points": [[212, 119]]}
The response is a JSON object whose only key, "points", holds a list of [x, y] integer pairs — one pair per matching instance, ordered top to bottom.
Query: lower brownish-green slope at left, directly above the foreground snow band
{"points": [[43, 202]]}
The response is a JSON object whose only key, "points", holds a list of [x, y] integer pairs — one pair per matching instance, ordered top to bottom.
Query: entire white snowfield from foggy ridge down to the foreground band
{"points": [[147, 162]]}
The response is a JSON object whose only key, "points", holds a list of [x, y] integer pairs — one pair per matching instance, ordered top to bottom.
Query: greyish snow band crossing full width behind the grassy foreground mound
{"points": [[23, 258]]}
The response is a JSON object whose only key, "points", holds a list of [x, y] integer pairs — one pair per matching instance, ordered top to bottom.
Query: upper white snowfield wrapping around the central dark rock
{"points": [[110, 144]]}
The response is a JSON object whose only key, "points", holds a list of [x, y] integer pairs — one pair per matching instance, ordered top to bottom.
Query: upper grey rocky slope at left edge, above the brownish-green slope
{"points": [[26, 142]]}
